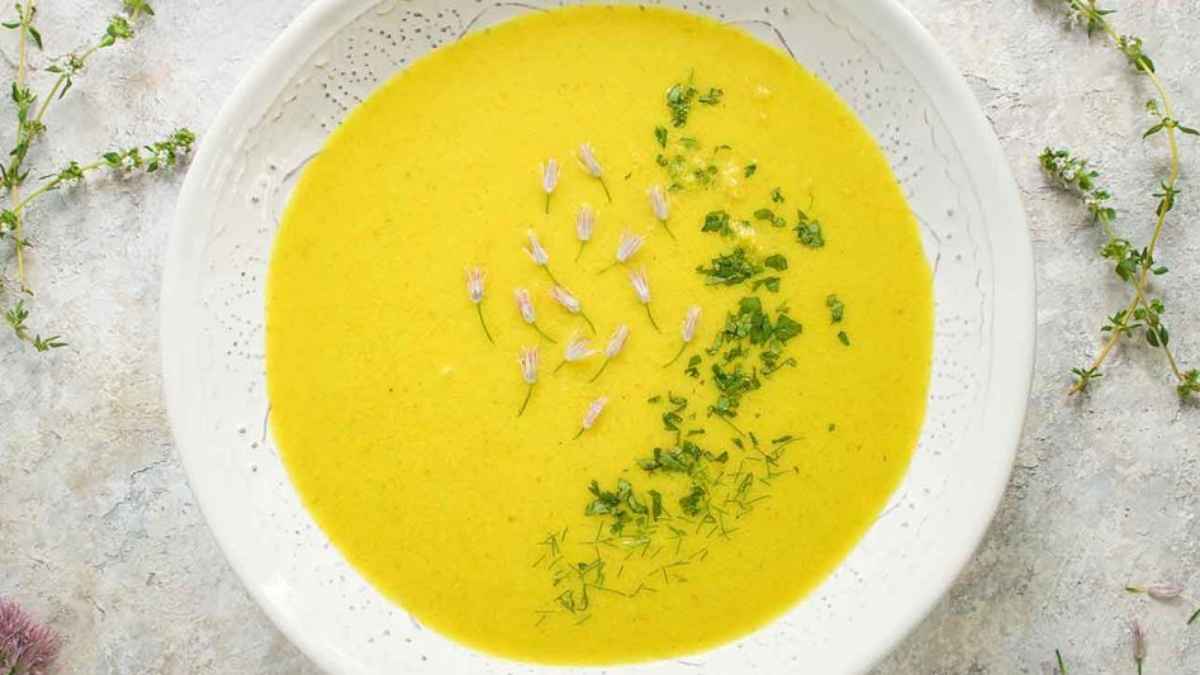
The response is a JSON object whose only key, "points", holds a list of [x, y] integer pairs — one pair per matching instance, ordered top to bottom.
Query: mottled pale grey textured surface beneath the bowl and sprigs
{"points": [[100, 535]]}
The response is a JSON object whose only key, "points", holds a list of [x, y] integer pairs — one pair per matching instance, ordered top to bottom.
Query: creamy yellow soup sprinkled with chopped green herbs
{"points": [[722, 497]]}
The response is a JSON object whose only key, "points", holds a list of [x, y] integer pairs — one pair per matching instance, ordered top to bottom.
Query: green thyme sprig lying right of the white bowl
{"points": [[1135, 266]]}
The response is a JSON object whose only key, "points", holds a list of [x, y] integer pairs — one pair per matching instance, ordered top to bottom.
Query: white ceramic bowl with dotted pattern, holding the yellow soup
{"points": [[944, 153]]}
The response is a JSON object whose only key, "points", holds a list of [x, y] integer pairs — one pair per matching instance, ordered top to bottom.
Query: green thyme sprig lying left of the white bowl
{"points": [[31, 117]]}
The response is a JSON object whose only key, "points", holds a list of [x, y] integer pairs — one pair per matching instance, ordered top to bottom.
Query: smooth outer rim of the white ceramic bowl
{"points": [[1007, 396]]}
